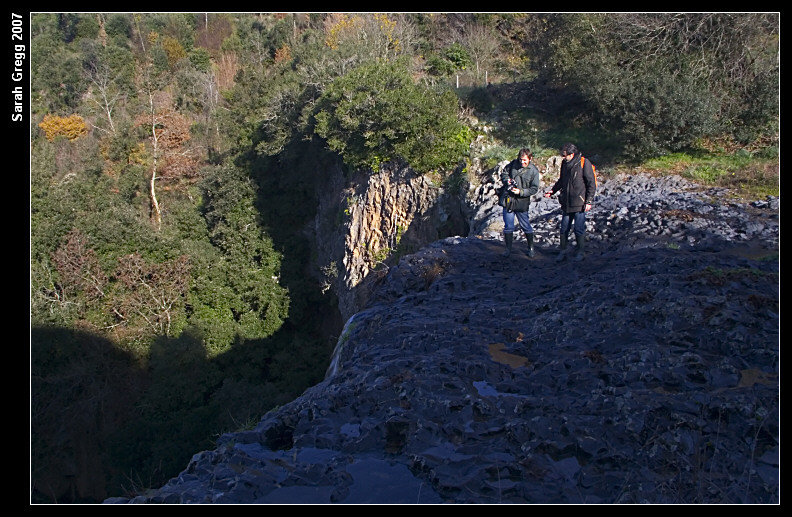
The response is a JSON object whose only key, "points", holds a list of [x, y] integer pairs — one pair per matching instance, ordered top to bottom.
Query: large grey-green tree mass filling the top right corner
{"points": [[661, 81]]}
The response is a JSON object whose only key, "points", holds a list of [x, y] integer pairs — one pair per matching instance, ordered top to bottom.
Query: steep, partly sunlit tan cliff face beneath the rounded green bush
{"points": [[365, 219]]}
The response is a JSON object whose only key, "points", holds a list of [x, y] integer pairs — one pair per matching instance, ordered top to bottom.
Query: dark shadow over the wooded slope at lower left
{"points": [[102, 424]]}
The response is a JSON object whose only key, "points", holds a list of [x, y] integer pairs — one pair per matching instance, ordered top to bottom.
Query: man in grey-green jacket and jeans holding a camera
{"points": [[521, 181]]}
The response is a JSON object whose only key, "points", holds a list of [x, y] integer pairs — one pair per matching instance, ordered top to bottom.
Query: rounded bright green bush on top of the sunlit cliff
{"points": [[376, 113]]}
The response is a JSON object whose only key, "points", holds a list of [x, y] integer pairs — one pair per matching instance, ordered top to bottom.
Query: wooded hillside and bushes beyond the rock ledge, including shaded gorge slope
{"points": [[171, 298]]}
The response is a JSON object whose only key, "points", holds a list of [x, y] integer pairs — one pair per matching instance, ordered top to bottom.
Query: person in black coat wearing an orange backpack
{"points": [[577, 187]]}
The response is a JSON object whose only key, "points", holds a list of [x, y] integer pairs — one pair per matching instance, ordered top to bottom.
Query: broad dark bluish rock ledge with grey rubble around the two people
{"points": [[648, 373]]}
